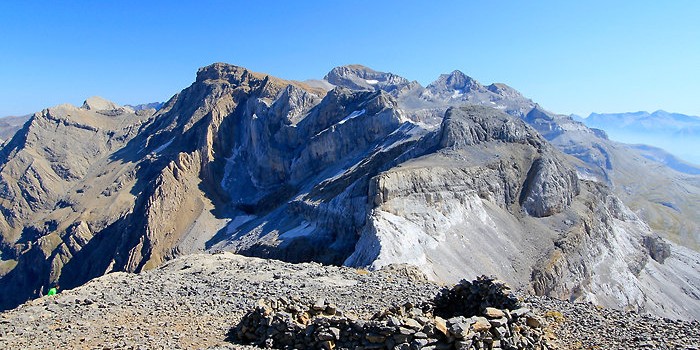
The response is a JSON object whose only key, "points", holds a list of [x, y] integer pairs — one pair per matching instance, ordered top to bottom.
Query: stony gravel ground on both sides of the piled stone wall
{"points": [[193, 303]]}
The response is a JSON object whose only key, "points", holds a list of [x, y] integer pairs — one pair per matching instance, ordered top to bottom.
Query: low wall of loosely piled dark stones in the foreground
{"points": [[472, 315]]}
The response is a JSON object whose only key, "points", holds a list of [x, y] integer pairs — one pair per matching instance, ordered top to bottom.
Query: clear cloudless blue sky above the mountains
{"points": [[570, 56]]}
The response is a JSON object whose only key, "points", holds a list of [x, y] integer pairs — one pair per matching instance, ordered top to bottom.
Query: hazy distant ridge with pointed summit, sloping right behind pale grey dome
{"points": [[671, 212]]}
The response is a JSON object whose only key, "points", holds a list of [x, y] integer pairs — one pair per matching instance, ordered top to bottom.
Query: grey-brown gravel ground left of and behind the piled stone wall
{"points": [[192, 302]]}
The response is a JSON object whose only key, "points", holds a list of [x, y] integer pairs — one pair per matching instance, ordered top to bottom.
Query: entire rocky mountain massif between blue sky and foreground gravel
{"points": [[362, 168]]}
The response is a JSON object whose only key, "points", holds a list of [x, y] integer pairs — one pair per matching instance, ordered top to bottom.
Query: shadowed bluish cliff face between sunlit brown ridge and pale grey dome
{"points": [[315, 188]]}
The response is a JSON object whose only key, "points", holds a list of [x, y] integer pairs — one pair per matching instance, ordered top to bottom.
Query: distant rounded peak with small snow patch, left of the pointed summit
{"points": [[358, 77]]}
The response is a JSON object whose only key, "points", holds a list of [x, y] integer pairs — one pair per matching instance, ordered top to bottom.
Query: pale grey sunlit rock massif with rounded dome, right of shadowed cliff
{"points": [[502, 201]]}
